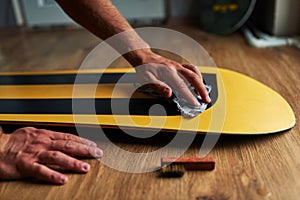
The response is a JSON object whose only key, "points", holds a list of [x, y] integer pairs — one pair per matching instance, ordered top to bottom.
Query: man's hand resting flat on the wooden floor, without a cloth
{"points": [[28, 152]]}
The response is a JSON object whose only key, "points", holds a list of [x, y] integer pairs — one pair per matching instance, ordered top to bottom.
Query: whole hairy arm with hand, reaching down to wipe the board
{"points": [[103, 19]]}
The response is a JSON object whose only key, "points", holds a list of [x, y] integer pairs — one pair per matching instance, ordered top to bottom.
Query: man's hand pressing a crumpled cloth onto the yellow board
{"points": [[162, 74]]}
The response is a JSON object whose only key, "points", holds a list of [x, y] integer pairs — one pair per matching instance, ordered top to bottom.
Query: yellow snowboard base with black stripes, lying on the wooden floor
{"points": [[240, 104]]}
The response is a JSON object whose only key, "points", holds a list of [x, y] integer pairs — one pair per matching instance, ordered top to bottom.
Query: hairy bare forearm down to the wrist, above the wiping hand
{"points": [[104, 20]]}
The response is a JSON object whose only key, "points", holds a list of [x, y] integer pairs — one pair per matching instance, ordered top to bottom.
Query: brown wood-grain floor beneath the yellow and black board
{"points": [[260, 167]]}
